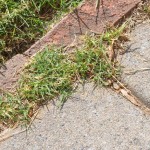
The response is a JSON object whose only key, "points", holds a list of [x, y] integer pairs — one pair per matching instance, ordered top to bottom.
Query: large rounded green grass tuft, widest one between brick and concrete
{"points": [[49, 75]]}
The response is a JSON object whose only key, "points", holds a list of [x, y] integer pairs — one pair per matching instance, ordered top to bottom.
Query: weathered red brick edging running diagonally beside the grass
{"points": [[84, 19]]}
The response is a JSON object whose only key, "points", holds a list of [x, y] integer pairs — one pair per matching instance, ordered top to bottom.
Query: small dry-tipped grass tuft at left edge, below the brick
{"points": [[13, 110]]}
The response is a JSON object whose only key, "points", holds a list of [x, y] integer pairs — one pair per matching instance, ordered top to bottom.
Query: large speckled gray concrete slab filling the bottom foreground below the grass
{"points": [[90, 120]]}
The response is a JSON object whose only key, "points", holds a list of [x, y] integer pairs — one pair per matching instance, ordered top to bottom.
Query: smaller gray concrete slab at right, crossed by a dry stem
{"points": [[137, 62]]}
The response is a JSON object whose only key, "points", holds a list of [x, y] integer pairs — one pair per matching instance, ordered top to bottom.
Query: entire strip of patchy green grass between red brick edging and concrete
{"points": [[52, 74]]}
